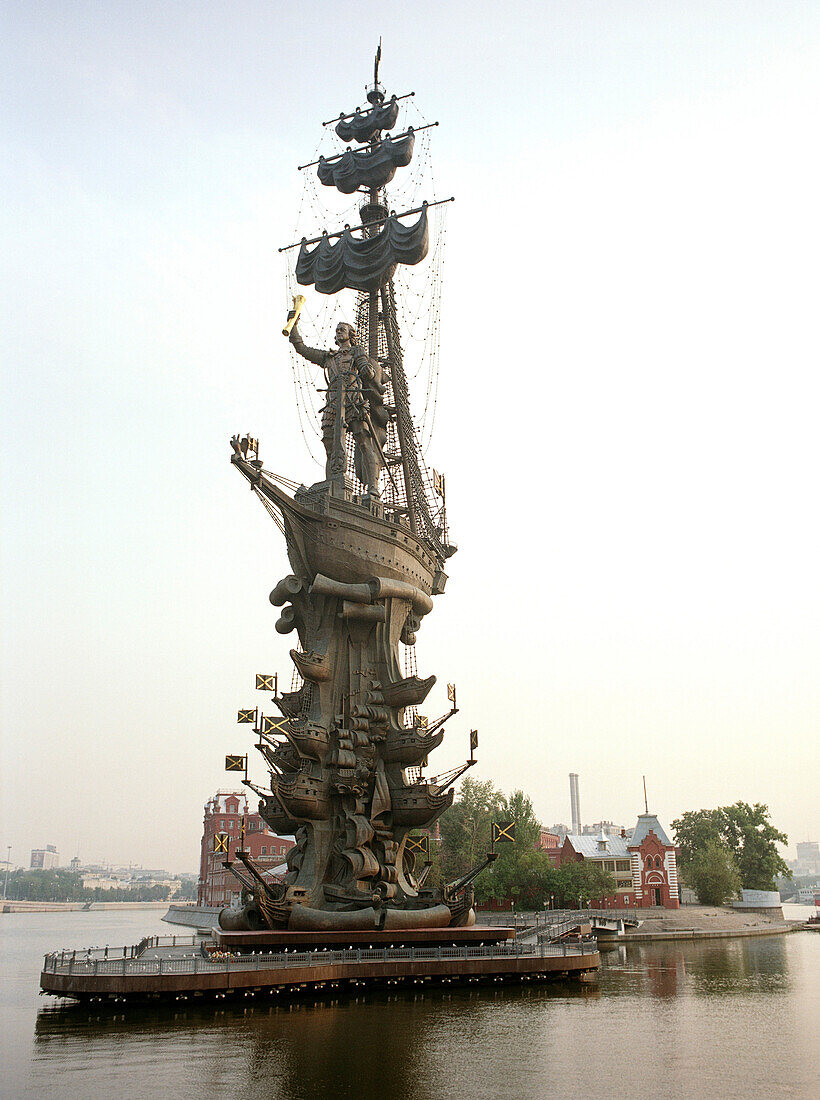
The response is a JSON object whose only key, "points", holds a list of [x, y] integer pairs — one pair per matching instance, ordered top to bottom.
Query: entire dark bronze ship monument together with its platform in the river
{"points": [[348, 751]]}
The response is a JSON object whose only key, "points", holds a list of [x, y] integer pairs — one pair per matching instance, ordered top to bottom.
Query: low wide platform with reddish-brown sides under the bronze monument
{"points": [[182, 969]]}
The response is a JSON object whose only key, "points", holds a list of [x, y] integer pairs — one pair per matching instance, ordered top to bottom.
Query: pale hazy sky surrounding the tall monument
{"points": [[627, 420]]}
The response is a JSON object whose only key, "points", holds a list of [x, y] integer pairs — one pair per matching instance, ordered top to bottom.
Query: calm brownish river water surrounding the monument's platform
{"points": [[724, 1019]]}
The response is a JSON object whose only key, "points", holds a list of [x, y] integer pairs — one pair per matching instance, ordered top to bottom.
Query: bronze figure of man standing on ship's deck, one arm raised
{"points": [[355, 380]]}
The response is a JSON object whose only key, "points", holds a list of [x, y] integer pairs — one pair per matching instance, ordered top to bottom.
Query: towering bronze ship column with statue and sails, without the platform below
{"points": [[367, 548]]}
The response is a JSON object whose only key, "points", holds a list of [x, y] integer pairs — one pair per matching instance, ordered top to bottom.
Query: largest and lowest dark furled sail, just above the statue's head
{"points": [[363, 265]]}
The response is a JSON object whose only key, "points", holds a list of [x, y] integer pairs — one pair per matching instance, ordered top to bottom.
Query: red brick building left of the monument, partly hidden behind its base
{"points": [[224, 815]]}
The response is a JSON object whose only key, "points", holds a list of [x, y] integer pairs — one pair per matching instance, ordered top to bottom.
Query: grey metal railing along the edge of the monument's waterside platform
{"points": [[71, 963]]}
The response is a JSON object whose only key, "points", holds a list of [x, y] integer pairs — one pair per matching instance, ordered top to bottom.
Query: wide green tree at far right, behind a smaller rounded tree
{"points": [[745, 831]]}
